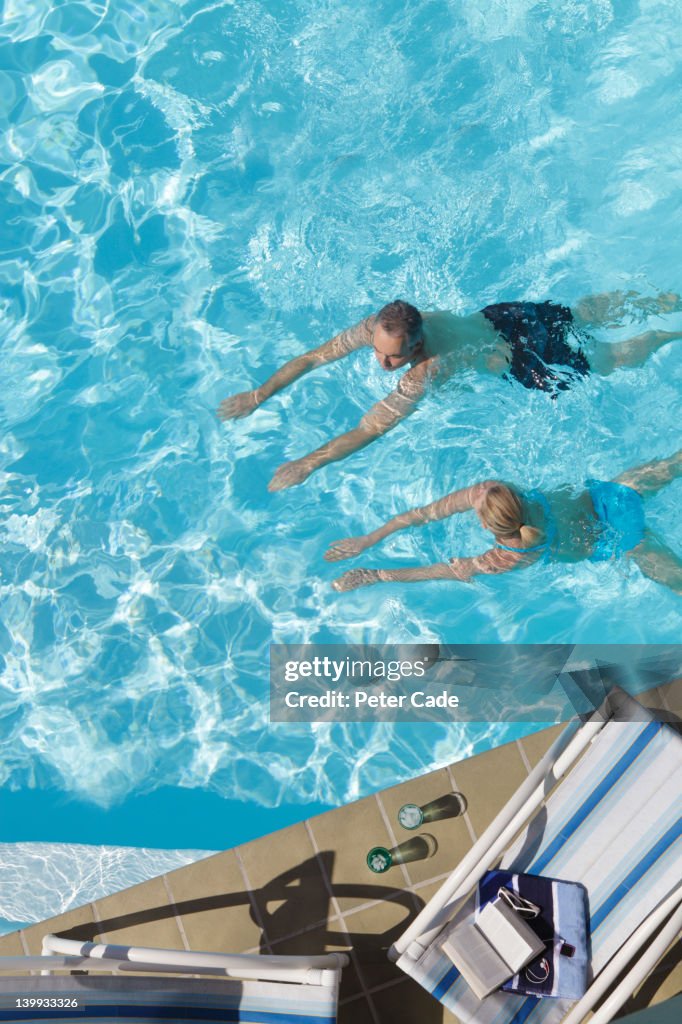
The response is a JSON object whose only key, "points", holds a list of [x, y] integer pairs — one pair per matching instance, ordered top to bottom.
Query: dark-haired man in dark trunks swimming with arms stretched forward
{"points": [[543, 346]]}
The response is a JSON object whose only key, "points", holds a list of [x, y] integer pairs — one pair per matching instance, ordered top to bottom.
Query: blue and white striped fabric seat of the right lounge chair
{"points": [[615, 824]]}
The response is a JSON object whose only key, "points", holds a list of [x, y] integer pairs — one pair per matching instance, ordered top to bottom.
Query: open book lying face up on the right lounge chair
{"points": [[493, 948]]}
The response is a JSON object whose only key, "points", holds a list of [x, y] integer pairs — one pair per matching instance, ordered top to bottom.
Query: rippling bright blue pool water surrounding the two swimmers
{"points": [[194, 193]]}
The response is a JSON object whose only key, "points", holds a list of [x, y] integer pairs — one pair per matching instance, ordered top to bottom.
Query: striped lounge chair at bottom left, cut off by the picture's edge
{"points": [[253, 990]]}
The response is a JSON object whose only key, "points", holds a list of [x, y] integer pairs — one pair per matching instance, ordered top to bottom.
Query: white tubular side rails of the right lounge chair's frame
{"points": [[562, 756]]}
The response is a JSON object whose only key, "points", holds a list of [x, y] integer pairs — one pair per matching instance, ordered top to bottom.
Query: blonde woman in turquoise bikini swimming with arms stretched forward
{"points": [[605, 522]]}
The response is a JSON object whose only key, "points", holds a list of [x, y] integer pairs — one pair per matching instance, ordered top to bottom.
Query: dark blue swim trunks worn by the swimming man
{"points": [[541, 355]]}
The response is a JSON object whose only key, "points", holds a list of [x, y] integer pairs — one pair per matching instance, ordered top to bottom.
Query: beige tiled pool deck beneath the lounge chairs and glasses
{"points": [[307, 889]]}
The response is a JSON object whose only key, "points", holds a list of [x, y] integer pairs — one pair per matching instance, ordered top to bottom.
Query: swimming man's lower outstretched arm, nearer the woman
{"points": [[381, 418]]}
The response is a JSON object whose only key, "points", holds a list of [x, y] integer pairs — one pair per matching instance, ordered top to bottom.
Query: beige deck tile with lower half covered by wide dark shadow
{"points": [[287, 881]]}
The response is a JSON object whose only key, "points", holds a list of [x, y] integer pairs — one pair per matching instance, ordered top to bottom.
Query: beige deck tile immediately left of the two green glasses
{"points": [[346, 837]]}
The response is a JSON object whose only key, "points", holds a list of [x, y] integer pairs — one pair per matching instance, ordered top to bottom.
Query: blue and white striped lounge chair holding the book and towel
{"points": [[615, 825]]}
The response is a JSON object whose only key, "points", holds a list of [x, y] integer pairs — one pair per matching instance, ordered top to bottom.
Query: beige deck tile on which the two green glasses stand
{"points": [[446, 825]]}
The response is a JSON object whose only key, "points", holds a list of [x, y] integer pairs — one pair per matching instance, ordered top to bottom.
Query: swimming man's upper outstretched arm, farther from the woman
{"points": [[343, 345]]}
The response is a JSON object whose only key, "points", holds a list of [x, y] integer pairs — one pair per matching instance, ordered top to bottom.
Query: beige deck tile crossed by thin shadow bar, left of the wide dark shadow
{"points": [[215, 907]]}
